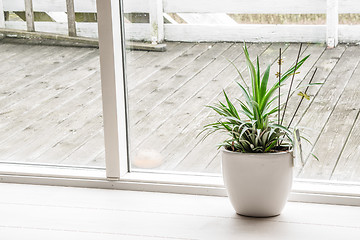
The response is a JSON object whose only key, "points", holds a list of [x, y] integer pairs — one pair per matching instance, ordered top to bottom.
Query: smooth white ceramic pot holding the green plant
{"points": [[258, 184]]}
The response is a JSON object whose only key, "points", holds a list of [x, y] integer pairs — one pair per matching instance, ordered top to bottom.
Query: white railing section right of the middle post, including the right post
{"points": [[330, 32]]}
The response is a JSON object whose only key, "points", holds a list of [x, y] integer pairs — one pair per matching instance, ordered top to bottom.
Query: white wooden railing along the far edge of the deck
{"points": [[157, 31]]}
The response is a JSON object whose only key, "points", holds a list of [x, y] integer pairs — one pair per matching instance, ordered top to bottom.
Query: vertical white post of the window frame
{"points": [[113, 87]]}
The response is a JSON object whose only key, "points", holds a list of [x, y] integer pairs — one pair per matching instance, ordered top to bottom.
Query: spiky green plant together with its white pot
{"points": [[257, 156]]}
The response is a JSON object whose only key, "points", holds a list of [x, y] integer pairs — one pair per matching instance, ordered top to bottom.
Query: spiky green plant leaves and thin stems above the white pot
{"points": [[253, 127]]}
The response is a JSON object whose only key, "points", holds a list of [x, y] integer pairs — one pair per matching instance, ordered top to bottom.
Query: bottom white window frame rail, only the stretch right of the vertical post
{"points": [[212, 185]]}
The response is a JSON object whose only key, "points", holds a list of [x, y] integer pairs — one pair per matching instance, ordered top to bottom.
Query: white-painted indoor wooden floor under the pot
{"points": [[59, 213]]}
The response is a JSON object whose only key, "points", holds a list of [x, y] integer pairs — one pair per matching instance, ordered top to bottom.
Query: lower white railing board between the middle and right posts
{"points": [[245, 32]]}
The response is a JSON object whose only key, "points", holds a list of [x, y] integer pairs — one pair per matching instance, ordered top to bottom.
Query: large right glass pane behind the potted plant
{"points": [[169, 90]]}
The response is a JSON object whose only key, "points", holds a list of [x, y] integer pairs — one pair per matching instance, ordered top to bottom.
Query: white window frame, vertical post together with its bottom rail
{"points": [[118, 174]]}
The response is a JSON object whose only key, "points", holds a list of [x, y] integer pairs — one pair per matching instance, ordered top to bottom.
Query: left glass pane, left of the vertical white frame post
{"points": [[51, 110]]}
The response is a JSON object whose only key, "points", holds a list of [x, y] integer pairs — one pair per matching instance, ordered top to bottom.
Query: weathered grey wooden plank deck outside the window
{"points": [[50, 101]]}
